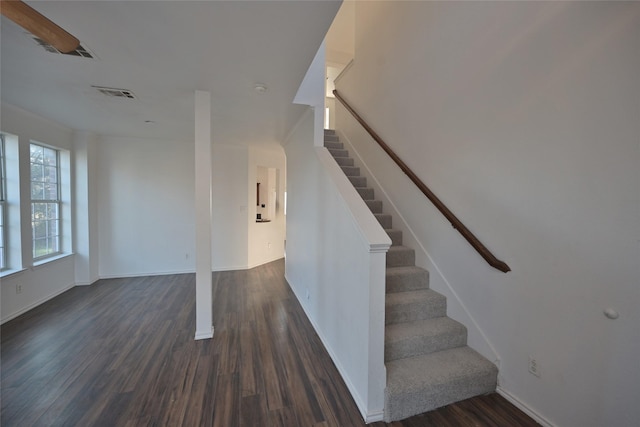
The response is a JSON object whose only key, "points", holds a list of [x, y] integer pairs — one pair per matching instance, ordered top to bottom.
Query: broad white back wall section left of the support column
{"points": [[146, 206]]}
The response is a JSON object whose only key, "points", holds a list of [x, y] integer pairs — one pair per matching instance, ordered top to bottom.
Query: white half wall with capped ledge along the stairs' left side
{"points": [[335, 264]]}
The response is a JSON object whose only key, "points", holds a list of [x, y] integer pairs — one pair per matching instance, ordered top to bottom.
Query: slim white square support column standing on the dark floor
{"points": [[203, 167]]}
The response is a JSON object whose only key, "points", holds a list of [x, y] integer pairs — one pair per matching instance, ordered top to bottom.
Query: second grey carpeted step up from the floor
{"points": [[410, 339]]}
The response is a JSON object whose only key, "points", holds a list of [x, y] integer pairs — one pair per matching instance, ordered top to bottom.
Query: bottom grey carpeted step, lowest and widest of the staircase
{"points": [[423, 383]]}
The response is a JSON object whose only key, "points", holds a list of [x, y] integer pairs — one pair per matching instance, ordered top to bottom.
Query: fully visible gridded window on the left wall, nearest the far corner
{"points": [[45, 201]]}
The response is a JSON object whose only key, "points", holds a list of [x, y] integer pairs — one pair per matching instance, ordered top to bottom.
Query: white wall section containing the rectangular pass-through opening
{"points": [[266, 239]]}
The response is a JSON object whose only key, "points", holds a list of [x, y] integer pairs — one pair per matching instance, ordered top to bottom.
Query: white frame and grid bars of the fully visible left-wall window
{"points": [[48, 222]]}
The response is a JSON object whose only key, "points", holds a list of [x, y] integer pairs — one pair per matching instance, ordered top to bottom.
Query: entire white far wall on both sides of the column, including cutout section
{"points": [[138, 177]]}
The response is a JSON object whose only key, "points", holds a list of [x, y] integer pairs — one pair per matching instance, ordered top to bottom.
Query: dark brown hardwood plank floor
{"points": [[122, 353]]}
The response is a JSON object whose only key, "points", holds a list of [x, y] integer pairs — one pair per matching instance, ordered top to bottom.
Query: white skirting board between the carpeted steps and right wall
{"points": [[456, 308]]}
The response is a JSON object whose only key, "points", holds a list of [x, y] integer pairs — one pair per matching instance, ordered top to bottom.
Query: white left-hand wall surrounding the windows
{"points": [[39, 283]]}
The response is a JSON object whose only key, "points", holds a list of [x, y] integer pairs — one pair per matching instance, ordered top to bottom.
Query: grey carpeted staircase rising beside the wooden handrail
{"points": [[428, 362]]}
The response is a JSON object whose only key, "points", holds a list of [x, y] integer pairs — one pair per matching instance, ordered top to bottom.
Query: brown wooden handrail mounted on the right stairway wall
{"points": [[455, 222]]}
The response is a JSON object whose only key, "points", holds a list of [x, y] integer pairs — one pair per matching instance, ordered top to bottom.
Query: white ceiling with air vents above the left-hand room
{"points": [[163, 51]]}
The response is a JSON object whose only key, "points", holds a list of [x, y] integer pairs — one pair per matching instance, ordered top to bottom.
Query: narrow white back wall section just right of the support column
{"points": [[230, 208]]}
